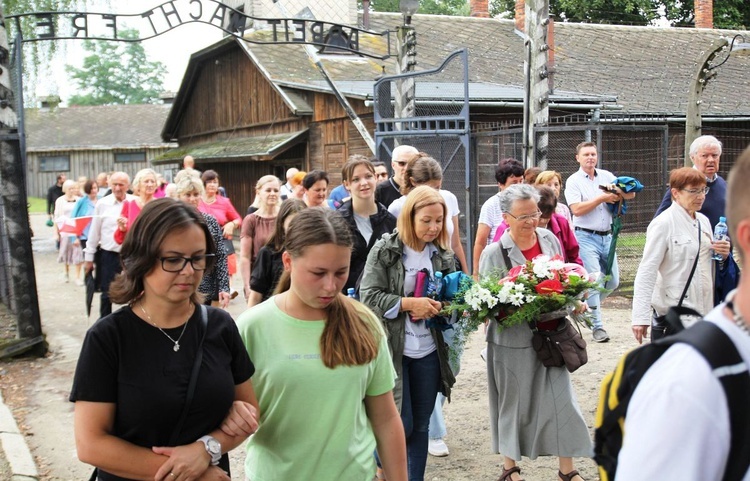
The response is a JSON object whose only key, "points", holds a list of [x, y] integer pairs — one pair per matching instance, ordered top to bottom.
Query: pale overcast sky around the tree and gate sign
{"points": [[173, 49]]}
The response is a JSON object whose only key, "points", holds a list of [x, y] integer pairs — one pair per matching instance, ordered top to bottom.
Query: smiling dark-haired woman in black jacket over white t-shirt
{"points": [[367, 219]]}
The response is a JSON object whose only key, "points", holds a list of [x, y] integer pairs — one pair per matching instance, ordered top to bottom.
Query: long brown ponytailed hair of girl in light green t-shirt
{"points": [[349, 337]]}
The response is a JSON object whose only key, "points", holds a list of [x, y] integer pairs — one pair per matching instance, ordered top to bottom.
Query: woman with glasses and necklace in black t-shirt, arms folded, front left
{"points": [[131, 382]]}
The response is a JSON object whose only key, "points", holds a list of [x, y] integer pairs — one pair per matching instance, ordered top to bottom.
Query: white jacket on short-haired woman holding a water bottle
{"points": [[671, 246]]}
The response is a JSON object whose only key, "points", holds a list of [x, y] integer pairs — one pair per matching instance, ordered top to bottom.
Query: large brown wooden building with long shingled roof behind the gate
{"points": [[246, 110]]}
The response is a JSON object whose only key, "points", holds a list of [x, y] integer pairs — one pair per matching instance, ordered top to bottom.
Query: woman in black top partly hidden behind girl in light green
{"points": [[268, 266]]}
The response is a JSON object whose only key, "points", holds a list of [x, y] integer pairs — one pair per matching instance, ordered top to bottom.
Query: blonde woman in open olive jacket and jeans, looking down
{"points": [[420, 355]]}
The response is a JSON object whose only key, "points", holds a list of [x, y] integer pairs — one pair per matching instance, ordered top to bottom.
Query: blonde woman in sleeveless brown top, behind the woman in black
{"points": [[258, 226]]}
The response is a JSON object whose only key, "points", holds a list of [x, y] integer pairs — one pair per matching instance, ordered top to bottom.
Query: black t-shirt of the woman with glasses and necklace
{"points": [[126, 361]]}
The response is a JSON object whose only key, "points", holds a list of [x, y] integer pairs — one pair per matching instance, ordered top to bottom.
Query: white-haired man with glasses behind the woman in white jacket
{"points": [[705, 152]]}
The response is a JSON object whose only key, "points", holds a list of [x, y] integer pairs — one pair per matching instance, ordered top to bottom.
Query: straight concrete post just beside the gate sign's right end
{"points": [[406, 46]]}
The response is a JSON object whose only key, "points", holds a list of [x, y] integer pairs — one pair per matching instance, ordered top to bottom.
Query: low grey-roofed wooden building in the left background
{"points": [[83, 141]]}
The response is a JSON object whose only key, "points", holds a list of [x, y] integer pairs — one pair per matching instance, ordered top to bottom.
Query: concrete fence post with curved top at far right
{"points": [[704, 73]]}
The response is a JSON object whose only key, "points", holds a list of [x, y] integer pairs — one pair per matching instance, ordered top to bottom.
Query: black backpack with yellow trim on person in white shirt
{"points": [[618, 387]]}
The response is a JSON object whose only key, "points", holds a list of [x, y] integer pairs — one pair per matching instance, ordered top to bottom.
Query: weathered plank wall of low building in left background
{"points": [[83, 163]]}
